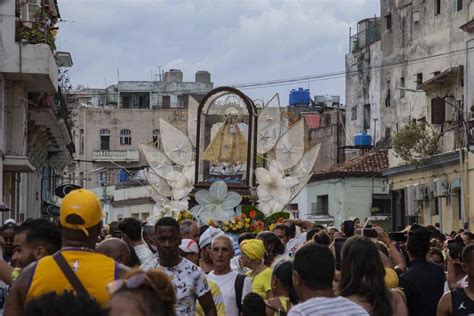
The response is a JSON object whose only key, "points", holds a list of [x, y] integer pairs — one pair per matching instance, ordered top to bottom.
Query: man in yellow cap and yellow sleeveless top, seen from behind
{"points": [[76, 267]]}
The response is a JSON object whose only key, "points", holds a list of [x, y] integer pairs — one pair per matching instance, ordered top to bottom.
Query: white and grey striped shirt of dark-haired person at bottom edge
{"points": [[327, 306]]}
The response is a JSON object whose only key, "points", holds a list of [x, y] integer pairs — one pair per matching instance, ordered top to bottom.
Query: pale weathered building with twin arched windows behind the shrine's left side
{"points": [[110, 125]]}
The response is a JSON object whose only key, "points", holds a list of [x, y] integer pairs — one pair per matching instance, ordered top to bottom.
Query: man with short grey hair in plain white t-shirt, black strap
{"points": [[222, 251]]}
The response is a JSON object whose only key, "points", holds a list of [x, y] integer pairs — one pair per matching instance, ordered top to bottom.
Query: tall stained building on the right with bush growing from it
{"points": [[419, 67]]}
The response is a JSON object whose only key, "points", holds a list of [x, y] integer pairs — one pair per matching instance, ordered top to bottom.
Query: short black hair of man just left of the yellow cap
{"points": [[40, 231]]}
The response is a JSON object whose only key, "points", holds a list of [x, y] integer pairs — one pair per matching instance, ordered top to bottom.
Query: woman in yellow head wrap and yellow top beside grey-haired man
{"points": [[252, 254]]}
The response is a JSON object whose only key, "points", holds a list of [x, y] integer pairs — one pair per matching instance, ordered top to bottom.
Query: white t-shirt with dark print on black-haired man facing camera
{"points": [[188, 280]]}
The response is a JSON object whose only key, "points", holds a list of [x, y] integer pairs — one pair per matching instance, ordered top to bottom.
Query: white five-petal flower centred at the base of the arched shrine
{"points": [[217, 203]]}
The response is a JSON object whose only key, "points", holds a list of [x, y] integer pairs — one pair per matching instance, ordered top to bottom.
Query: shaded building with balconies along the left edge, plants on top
{"points": [[35, 139]]}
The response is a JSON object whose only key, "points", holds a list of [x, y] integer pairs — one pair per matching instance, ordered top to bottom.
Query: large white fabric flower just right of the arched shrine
{"points": [[274, 189]]}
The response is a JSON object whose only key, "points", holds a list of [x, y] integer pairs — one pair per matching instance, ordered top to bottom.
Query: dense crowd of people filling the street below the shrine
{"points": [[76, 267]]}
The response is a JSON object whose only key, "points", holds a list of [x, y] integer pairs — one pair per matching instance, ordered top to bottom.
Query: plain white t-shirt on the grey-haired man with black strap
{"points": [[226, 283]]}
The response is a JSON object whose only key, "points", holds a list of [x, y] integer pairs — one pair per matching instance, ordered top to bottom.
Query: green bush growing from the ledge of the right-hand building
{"points": [[416, 142]]}
